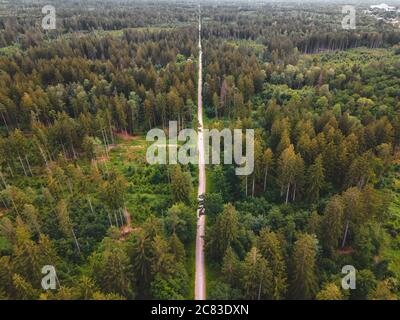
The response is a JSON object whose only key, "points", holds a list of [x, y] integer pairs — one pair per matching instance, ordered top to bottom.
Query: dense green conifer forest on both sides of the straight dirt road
{"points": [[77, 193]]}
